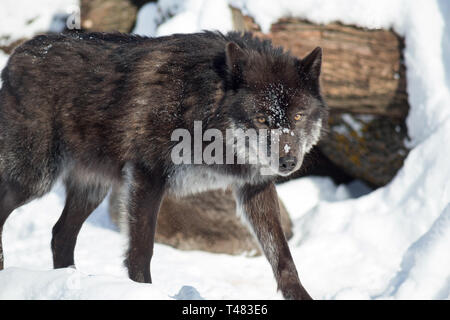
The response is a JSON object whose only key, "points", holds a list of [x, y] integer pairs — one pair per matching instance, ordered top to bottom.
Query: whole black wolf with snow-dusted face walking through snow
{"points": [[98, 109]]}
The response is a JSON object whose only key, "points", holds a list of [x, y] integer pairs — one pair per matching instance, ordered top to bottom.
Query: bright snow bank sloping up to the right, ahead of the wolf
{"points": [[362, 244]]}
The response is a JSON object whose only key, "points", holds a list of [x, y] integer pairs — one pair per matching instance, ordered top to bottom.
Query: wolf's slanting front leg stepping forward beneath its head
{"points": [[259, 205]]}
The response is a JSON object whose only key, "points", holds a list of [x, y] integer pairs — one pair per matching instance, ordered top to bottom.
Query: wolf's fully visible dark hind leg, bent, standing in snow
{"points": [[81, 200]]}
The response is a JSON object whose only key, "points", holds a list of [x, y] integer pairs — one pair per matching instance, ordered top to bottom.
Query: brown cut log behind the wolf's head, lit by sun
{"points": [[362, 69]]}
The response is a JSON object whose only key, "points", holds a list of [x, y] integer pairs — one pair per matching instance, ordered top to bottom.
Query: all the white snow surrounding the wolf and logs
{"points": [[393, 243]]}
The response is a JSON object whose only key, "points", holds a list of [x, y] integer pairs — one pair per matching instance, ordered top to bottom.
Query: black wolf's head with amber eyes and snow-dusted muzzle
{"points": [[272, 90]]}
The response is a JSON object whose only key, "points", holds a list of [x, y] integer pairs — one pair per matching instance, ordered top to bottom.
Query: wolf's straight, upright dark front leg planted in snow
{"points": [[145, 193]]}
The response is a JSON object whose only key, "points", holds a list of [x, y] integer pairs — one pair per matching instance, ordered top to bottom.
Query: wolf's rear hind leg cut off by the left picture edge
{"points": [[12, 196]]}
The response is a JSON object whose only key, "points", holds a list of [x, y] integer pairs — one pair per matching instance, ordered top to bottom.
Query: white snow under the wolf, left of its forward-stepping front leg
{"points": [[99, 258]]}
